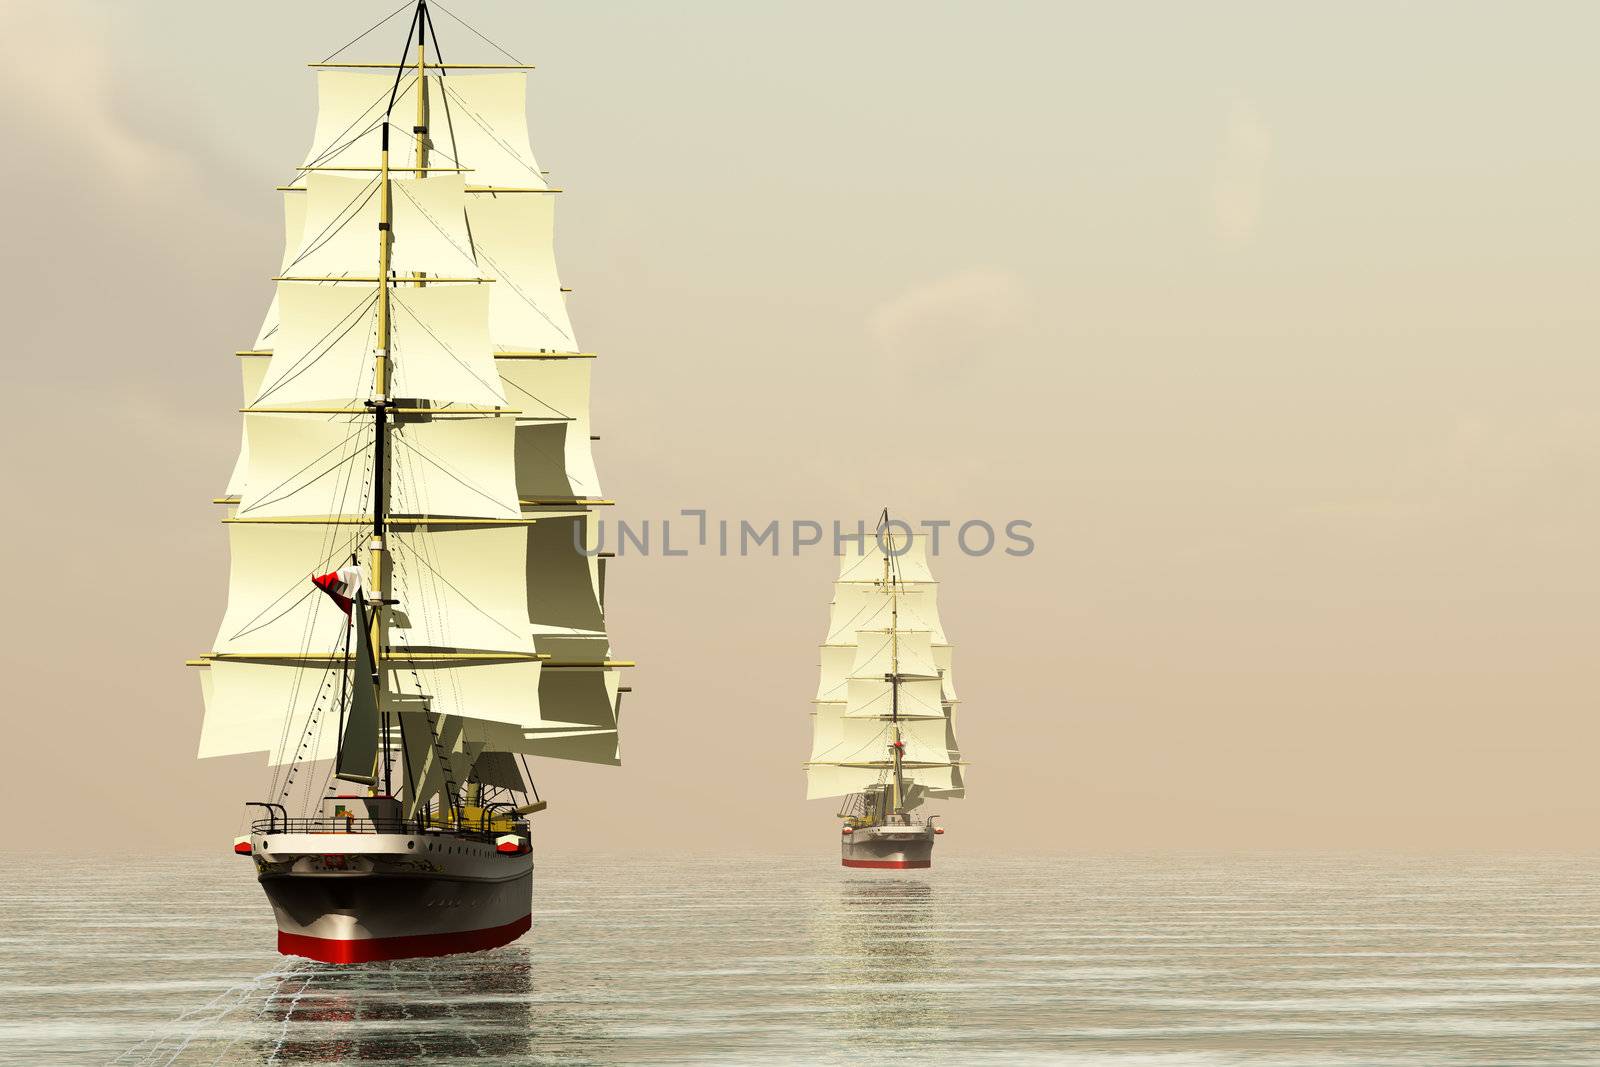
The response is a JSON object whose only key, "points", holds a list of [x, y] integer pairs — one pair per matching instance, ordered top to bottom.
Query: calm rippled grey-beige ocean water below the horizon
{"points": [[791, 961]]}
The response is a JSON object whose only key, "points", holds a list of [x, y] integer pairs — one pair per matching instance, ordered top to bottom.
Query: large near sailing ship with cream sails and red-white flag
{"points": [[415, 604]]}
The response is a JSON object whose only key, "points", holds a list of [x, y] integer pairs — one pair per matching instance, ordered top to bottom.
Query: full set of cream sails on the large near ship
{"points": [[494, 604]]}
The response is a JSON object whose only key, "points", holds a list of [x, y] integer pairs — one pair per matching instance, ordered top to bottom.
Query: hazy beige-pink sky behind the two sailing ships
{"points": [[1276, 321]]}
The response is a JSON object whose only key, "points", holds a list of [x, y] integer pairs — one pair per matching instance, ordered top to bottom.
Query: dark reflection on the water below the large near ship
{"points": [[470, 1009]]}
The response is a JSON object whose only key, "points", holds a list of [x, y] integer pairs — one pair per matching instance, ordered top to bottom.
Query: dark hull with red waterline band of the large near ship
{"points": [[361, 898]]}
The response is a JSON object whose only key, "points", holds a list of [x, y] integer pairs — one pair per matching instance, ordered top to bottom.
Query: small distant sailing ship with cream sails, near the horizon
{"points": [[884, 729]]}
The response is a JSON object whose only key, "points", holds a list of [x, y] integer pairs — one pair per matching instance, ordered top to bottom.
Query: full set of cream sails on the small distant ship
{"points": [[886, 673]]}
